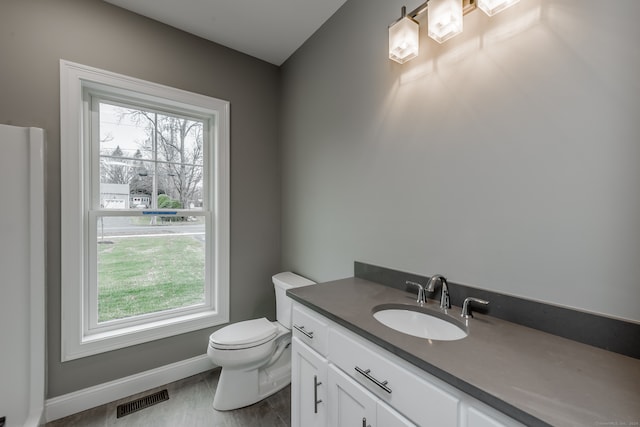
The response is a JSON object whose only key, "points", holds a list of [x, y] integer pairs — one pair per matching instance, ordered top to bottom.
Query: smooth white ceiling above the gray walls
{"points": [[270, 30]]}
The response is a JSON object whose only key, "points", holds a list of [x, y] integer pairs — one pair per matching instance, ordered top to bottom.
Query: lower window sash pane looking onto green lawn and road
{"points": [[148, 264]]}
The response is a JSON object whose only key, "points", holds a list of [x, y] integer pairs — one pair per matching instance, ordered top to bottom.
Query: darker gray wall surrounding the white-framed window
{"points": [[34, 35]]}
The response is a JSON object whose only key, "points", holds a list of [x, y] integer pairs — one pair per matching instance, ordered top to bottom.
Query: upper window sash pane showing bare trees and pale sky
{"points": [[150, 156]]}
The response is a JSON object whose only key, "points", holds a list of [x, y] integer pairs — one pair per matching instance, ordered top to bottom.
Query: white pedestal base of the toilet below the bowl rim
{"points": [[237, 388]]}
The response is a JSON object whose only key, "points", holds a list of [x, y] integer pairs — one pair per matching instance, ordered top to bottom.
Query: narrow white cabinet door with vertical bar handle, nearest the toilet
{"points": [[308, 386]]}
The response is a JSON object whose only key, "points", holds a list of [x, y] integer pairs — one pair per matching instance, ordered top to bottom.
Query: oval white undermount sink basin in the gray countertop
{"points": [[419, 322]]}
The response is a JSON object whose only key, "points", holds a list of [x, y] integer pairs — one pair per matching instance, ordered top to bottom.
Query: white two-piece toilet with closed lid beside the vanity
{"points": [[255, 355]]}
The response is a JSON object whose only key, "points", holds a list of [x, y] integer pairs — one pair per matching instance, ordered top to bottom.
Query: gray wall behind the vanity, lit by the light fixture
{"points": [[506, 158]]}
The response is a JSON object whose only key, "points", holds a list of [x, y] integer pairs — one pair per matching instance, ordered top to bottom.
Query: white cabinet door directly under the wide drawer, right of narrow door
{"points": [[350, 404]]}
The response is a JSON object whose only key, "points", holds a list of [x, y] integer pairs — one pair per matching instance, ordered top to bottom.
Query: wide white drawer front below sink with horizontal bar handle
{"points": [[419, 400]]}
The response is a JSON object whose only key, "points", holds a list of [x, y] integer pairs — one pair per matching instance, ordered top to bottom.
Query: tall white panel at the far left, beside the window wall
{"points": [[22, 276]]}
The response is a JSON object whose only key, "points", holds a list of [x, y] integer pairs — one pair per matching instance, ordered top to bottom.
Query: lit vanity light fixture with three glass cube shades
{"points": [[444, 22]]}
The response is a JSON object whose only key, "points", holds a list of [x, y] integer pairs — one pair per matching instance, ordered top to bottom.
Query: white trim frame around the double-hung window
{"points": [[77, 342]]}
